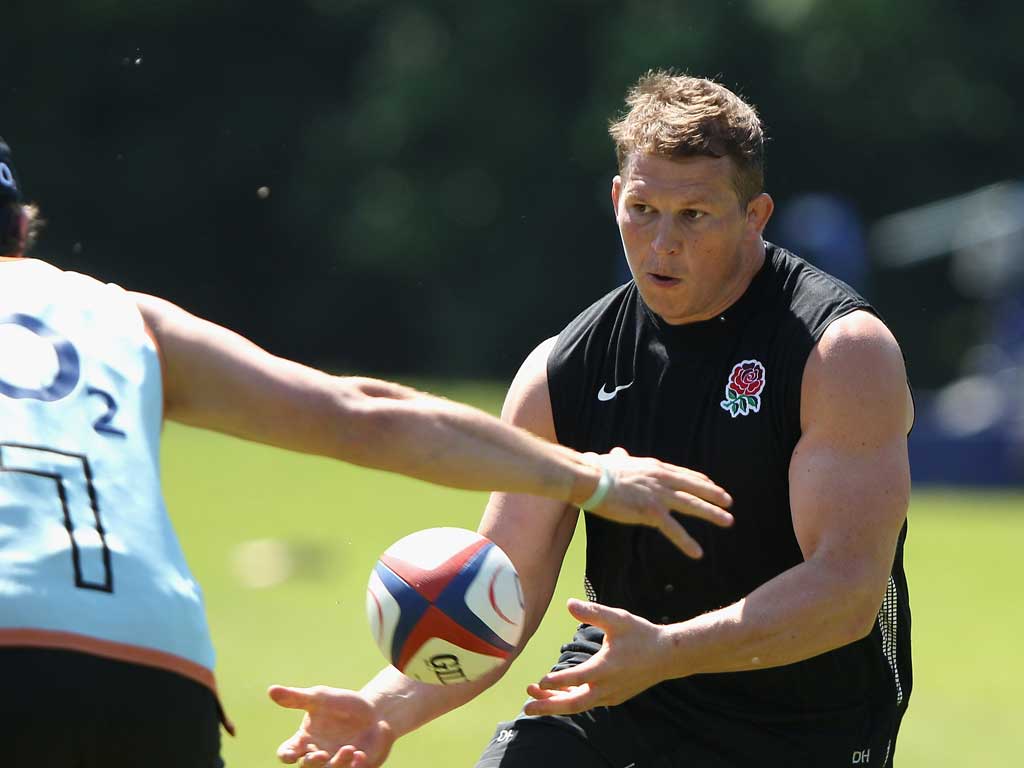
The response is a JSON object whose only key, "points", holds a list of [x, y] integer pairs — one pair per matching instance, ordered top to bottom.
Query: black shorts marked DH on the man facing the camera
{"points": [[661, 729]]}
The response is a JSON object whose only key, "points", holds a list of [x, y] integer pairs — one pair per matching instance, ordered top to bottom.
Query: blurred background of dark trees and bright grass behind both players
{"points": [[421, 189]]}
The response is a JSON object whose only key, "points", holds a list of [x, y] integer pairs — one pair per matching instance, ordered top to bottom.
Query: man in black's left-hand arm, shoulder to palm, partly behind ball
{"points": [[346, 727]]}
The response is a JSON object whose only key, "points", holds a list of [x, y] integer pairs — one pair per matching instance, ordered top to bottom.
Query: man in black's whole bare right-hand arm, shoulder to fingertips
{"points": [[850, 485]]}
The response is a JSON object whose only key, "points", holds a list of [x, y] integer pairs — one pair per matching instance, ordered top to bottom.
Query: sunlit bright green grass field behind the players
{"points": [[964, 562]]}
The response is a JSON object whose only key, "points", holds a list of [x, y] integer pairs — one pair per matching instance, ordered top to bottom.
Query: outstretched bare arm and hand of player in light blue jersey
{"points": [[216, 379]]}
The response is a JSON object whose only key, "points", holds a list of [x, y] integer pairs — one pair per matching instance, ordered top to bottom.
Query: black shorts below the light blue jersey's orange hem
{"points": [[70, 710]]}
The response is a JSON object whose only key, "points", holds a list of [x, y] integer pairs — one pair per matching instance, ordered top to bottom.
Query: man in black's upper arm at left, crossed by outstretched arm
{"points": [[535, 532]]}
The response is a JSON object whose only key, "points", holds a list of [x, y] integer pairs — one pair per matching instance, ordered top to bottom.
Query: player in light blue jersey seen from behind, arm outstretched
{"points": [[105, 653]]}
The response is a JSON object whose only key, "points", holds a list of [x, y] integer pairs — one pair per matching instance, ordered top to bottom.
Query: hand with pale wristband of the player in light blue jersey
{"points": [[647, 492]]}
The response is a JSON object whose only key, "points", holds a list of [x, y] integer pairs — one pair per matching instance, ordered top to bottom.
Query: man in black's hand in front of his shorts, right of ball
{"points": [[627, 664]]}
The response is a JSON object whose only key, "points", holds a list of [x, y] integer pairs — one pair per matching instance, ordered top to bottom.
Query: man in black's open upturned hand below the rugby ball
{"points": [[339, 730]]}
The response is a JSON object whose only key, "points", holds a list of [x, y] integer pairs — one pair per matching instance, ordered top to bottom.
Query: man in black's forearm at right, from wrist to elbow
{"points": [[808, 610]]}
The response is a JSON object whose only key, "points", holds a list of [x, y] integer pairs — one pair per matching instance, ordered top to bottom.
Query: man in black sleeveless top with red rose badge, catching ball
{"points": [[788, 644]]}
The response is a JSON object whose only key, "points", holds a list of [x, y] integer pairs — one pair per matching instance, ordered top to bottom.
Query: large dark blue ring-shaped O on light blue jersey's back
{"points": [[33, 357]]}
